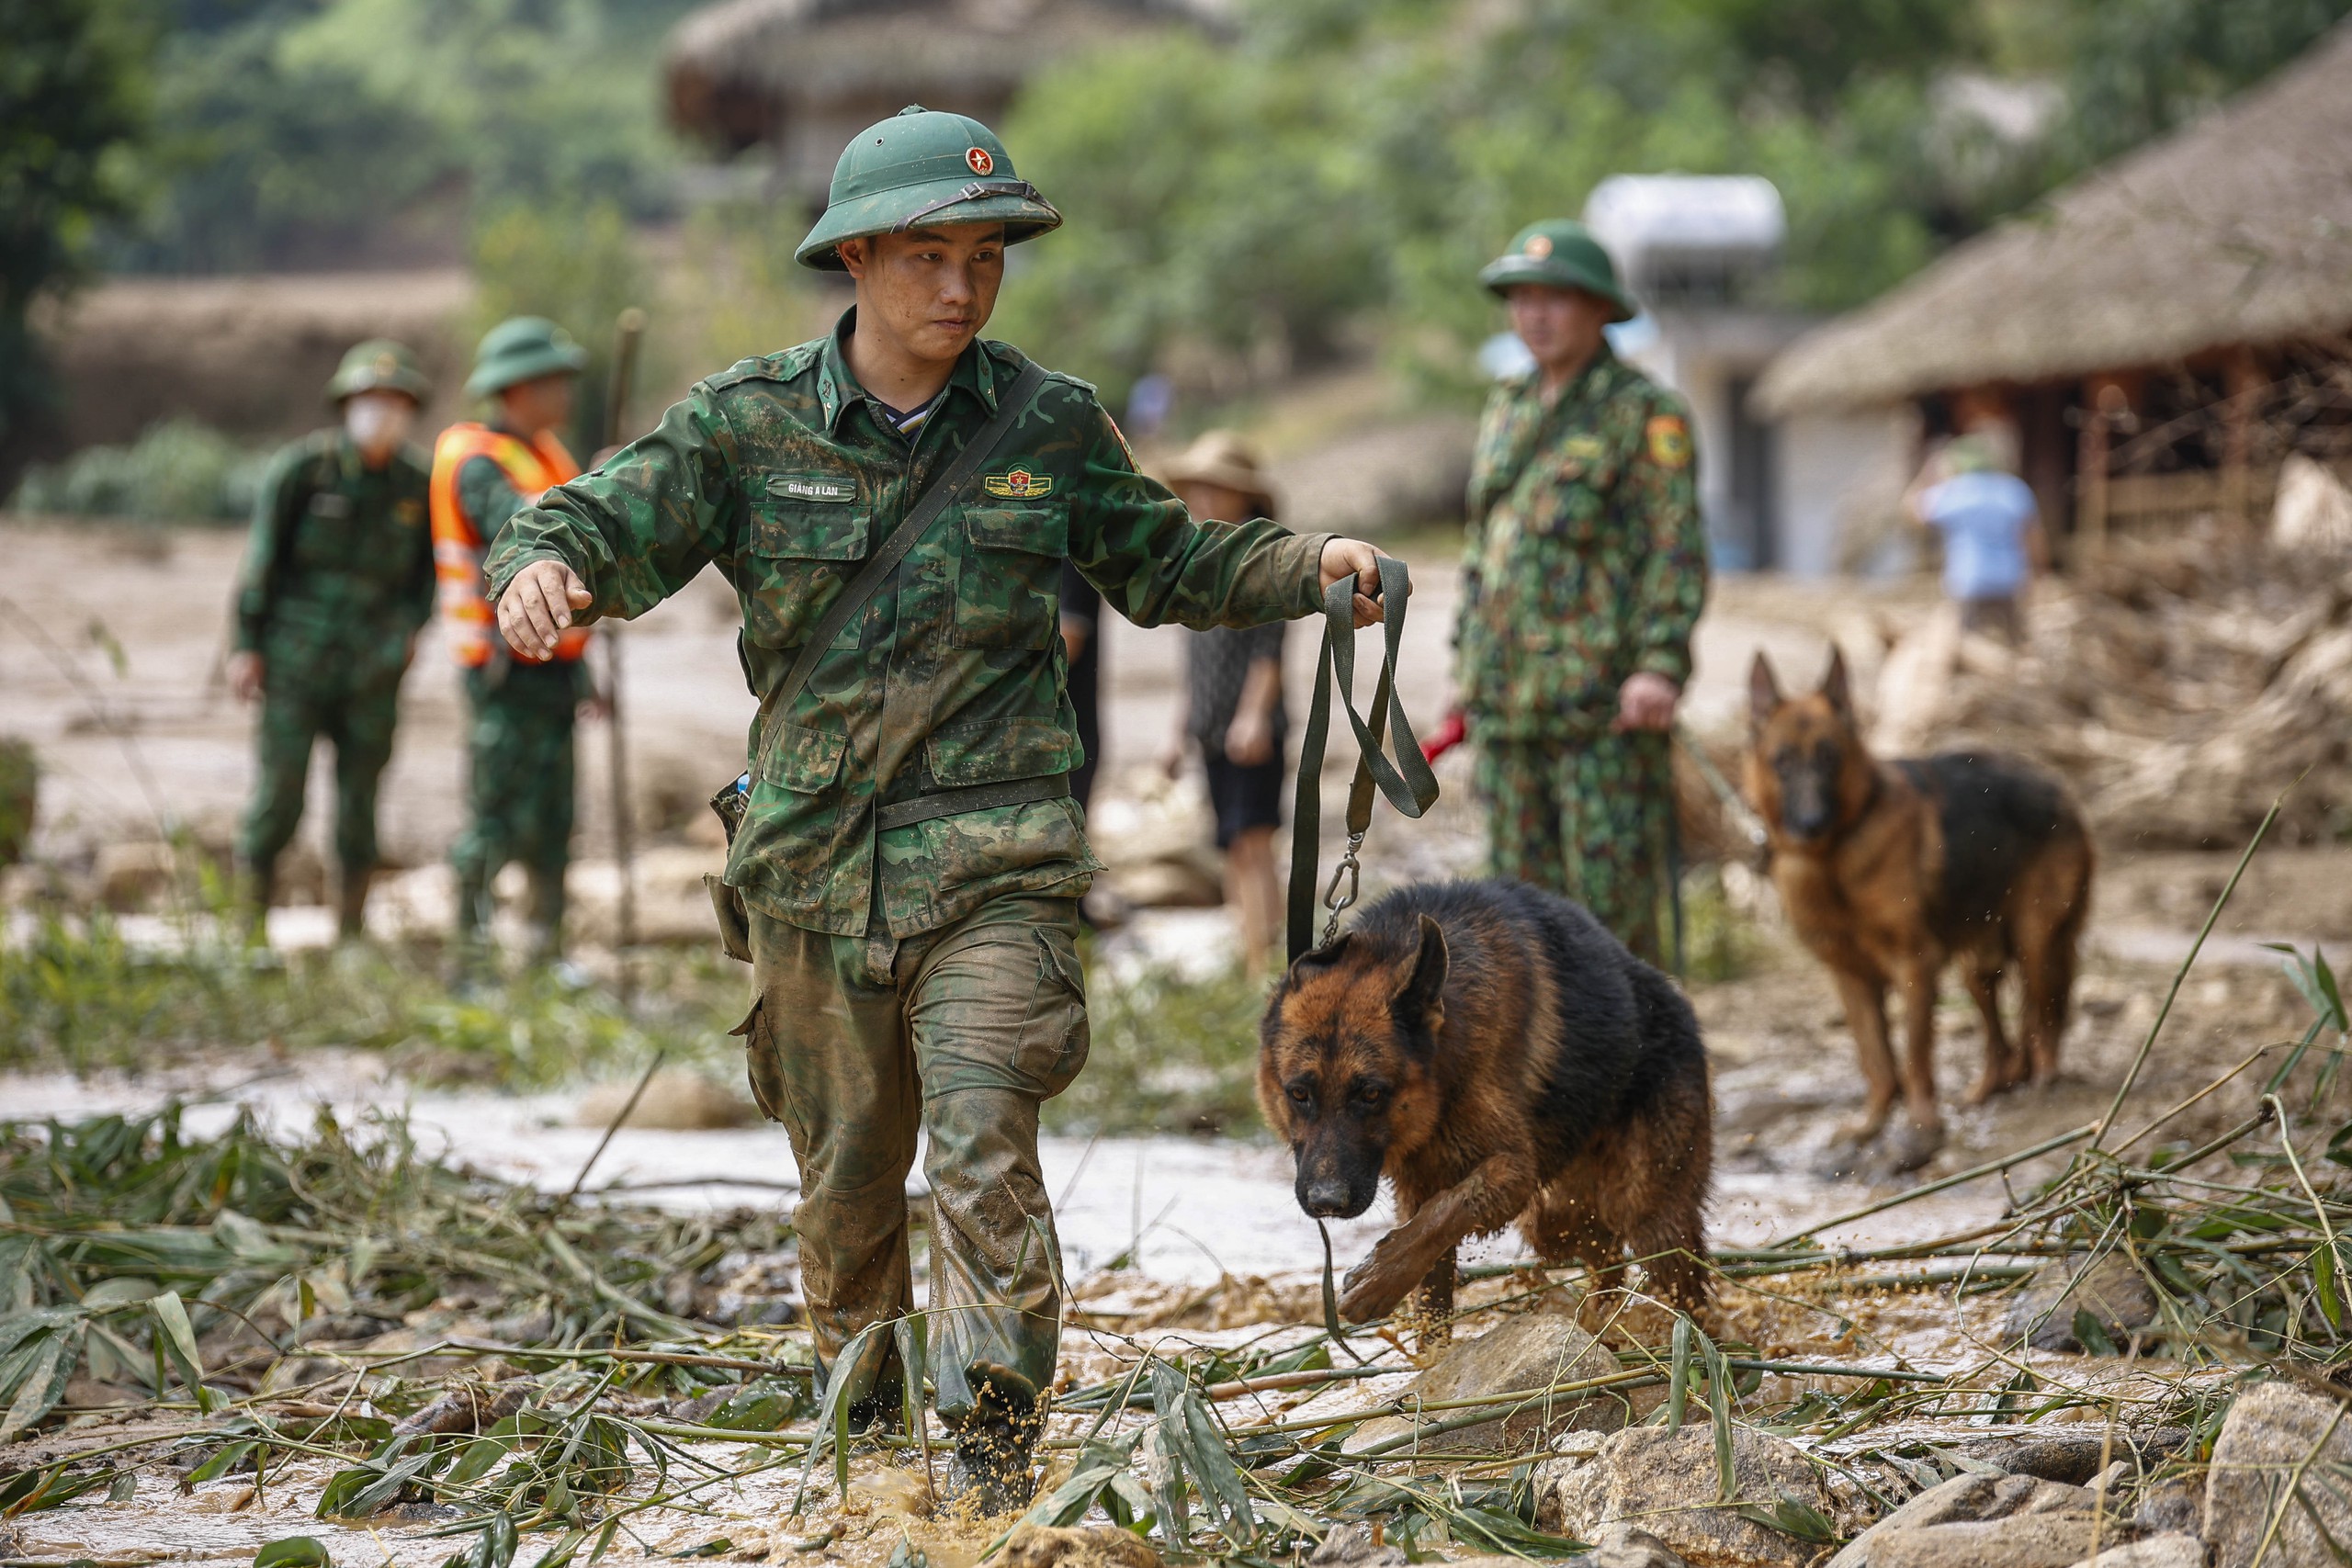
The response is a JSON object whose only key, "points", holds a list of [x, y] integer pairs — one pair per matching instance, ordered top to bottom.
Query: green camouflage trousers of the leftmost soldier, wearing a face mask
{"points": [[354, 709]]}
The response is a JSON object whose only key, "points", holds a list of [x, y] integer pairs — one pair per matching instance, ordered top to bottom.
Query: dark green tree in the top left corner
{"points": [[72, 105]]}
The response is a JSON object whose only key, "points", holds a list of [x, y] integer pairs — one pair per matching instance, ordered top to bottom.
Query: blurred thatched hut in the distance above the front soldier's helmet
{"points": [[806, 76]]}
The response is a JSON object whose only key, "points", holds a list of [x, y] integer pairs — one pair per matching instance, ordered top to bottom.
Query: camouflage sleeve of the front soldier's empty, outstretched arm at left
{"points": [[641, 525]]}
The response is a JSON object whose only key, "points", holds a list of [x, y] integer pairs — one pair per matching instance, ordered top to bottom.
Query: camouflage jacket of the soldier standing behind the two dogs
{"points": [[1586, 558]]}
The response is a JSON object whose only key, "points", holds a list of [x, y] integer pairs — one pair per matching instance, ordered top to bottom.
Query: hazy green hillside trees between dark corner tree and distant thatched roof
{"points": [[295, 130]]}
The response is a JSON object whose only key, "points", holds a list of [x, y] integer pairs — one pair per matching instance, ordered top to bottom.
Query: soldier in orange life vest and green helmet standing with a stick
{"points": [[521, 706]]}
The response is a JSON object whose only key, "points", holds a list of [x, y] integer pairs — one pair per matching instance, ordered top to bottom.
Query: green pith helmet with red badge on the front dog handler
{"points": [[923, 166]]}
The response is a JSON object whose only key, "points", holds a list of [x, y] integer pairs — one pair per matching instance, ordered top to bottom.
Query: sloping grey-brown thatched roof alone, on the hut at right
{"points": [[2236, 229]]}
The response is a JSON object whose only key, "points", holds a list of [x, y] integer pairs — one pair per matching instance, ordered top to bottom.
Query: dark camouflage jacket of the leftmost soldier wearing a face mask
{"points": [[340, 558]]}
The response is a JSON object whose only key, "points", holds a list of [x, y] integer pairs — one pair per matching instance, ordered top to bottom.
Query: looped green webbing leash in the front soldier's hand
{"points": [[1408, 782]]}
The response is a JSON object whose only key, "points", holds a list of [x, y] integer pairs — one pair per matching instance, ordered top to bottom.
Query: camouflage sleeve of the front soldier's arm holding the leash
{"points": [[1154, 561]]}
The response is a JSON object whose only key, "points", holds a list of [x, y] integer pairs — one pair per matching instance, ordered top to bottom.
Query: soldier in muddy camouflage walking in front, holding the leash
{"points": [[909, 857]]}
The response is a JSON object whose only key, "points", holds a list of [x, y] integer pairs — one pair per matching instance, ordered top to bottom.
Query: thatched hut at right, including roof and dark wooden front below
{"points": [[2156, 337]]}
